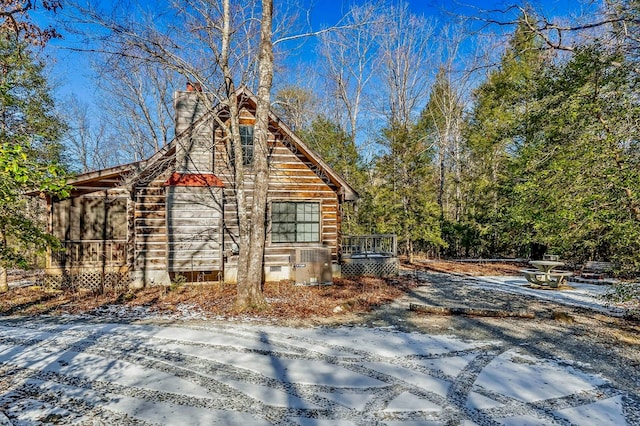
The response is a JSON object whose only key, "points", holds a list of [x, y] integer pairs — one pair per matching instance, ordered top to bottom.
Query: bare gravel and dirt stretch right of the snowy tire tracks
{"points": [[599, 343]]}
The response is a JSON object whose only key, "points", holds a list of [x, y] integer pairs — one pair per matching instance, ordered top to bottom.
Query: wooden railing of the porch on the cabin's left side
{"points": [[90, 253]]}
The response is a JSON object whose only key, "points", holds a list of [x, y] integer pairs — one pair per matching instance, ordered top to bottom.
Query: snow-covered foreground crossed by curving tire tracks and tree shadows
{"points": [[73, 370]]}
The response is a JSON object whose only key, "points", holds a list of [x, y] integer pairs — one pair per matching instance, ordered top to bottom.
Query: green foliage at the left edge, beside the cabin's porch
{"points": [[29, 153]]}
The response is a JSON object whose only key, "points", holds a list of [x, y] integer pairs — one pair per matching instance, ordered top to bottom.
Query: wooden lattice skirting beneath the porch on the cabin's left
{"points": [[95, 281]]}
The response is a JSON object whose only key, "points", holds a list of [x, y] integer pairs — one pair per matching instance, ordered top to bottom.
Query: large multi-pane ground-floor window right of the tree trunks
{"points": [[295, 222]]}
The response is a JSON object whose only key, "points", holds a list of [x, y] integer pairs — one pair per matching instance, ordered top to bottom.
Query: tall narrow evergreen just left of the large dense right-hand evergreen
{"points": [[495, 132]]}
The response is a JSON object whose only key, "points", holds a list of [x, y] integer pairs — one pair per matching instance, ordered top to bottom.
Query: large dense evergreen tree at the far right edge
{"points": [[577, 183]]}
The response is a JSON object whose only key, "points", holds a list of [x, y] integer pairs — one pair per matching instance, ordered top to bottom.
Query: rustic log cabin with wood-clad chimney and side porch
{"points": [[175, 213]]}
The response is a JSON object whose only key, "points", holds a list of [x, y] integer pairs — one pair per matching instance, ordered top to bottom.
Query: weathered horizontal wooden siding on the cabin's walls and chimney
{"points": [[170, 229]]}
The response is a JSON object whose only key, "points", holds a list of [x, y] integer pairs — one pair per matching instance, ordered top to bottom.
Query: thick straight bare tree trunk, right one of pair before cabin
{"points": [[250, 289]]}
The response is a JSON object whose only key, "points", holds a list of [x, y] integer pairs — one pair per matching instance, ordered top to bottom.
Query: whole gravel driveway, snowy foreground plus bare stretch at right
{"points": [[570, 365]]}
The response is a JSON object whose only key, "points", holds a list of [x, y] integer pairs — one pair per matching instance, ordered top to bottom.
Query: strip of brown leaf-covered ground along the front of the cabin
{"points": [[287, 301]]}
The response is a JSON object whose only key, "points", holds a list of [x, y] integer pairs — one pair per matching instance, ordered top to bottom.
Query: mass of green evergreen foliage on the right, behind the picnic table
{"points": [[553, 158]]}
